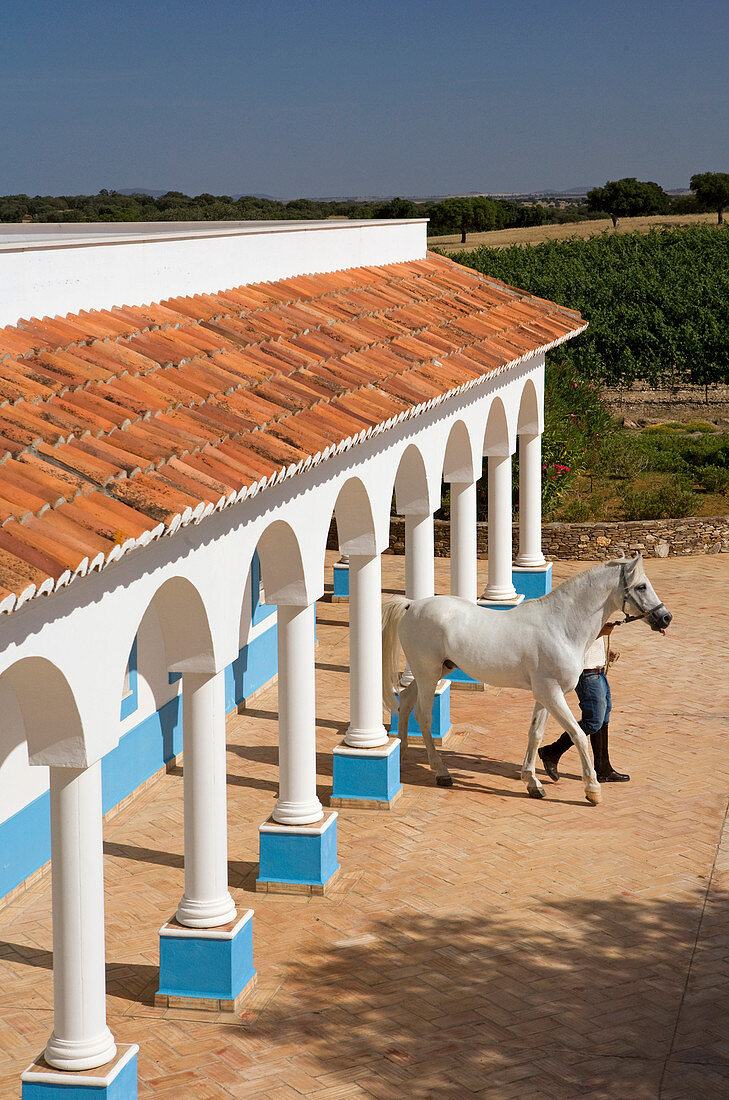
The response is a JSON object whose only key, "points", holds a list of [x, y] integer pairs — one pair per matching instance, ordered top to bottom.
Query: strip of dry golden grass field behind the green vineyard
{"points": [[535, 235]]}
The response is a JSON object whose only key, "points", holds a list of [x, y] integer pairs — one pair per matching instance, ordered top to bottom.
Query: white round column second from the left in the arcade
{"points": [[206, 903]]}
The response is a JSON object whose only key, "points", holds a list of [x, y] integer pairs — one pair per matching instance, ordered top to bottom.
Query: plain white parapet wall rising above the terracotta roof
{"points": [[53, 270]]}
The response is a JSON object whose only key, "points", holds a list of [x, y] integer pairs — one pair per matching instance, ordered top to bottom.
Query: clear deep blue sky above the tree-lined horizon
{"points": [[360, 97]]}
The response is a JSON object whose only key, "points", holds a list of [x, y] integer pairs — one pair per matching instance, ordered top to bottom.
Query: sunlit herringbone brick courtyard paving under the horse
{"points": [[478, 943]]}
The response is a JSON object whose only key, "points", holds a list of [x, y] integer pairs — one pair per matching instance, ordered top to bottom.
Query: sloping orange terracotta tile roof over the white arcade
{"points": [[119, 425]]}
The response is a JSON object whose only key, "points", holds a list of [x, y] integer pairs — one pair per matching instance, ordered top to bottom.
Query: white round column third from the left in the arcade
{"points": [[297, 718]]}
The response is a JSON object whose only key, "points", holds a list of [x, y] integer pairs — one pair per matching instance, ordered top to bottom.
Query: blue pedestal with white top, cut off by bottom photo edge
{"points": [[117, 1081]]}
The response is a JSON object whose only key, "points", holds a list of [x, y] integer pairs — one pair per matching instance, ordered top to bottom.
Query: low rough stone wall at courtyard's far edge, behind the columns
{"points": [[655, 538]]}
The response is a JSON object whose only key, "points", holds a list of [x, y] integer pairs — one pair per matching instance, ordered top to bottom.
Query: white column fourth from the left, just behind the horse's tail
{"points": [[367, 729]]}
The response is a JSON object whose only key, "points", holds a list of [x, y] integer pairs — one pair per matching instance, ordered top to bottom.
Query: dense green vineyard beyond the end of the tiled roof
{"points": [[658, 304]]}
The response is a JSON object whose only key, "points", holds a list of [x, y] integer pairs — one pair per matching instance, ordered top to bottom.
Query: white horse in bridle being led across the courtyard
{"points": [[539, 646]]}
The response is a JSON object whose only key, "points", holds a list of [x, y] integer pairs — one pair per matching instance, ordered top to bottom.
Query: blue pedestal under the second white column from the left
{"points": [[206, 969]]}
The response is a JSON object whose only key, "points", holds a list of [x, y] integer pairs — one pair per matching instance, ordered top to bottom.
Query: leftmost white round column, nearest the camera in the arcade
{"points": [[81, 1038]]}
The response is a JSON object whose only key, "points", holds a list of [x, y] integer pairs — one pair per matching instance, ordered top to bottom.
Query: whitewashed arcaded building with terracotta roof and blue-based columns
{"points": [[169, 475]]}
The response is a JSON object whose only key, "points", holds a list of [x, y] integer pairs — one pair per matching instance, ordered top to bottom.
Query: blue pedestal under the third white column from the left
{"points": [[299, 860]]}
